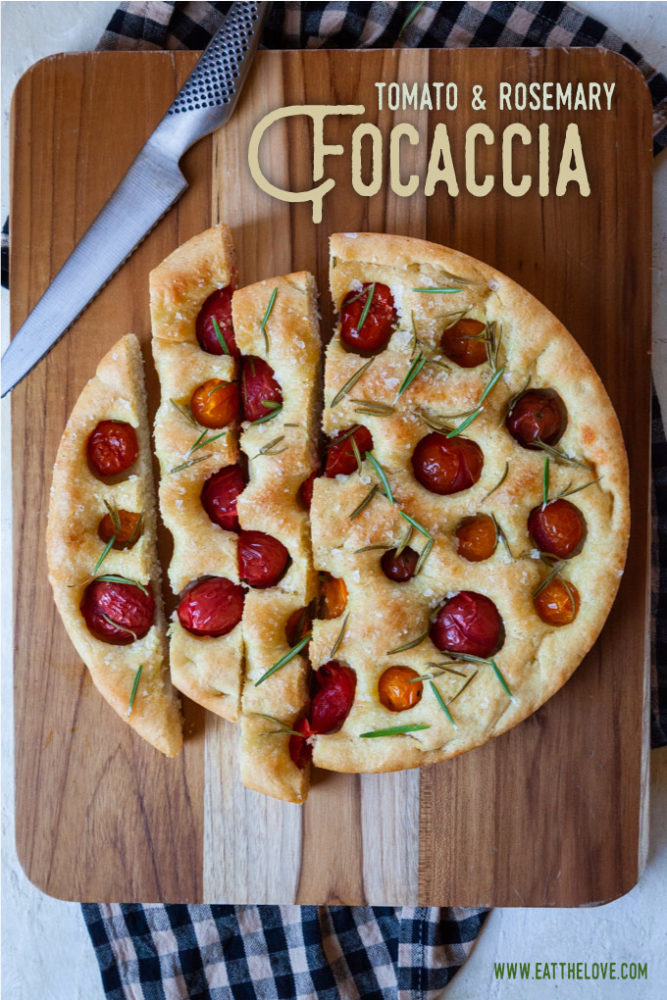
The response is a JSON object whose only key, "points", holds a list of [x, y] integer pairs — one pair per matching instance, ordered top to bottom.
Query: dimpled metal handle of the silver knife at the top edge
{"points": [[216, 80]]}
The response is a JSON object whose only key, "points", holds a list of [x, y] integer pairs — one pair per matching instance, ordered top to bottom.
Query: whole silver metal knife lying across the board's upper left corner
{"points": [[151, 186]]}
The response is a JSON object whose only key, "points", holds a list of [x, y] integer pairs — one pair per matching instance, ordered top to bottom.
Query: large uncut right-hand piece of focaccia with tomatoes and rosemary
{"points": [[412, 387]]}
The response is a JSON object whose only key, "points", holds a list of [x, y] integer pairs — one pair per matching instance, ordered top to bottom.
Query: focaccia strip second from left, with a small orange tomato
{"points": [[195, 356]]}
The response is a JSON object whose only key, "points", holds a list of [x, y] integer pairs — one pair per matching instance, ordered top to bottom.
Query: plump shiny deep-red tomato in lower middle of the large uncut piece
{"points": [[468, 623]]}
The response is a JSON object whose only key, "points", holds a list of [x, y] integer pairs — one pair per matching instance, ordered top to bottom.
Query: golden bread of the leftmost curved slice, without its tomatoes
{"points": [[76, 507]]}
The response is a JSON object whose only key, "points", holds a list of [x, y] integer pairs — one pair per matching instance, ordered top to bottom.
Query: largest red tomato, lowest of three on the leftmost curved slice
{"points": [[118, 613]]}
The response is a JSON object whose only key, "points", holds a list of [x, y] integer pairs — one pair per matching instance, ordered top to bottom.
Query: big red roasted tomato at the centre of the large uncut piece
{"points": [[447, 465]]}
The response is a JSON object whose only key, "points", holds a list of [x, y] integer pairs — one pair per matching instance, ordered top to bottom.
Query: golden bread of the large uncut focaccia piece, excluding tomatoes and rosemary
{"points": [[535, 659]]}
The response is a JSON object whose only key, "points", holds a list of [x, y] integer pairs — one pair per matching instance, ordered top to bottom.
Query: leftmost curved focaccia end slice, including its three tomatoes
{"points": [[131, 676]]}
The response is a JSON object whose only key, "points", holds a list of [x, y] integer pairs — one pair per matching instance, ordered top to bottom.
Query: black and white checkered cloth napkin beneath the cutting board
{"points": [[156, 952]]}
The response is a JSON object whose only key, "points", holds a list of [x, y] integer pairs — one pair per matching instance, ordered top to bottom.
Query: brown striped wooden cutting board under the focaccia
{"points": [[549, 814]]}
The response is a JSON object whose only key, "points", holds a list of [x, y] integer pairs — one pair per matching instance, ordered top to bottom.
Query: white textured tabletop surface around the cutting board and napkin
{"points": [[46, 950]]}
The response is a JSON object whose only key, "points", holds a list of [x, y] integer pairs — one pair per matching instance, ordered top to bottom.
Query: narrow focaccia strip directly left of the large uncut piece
{"points": [[277, 331]]}
